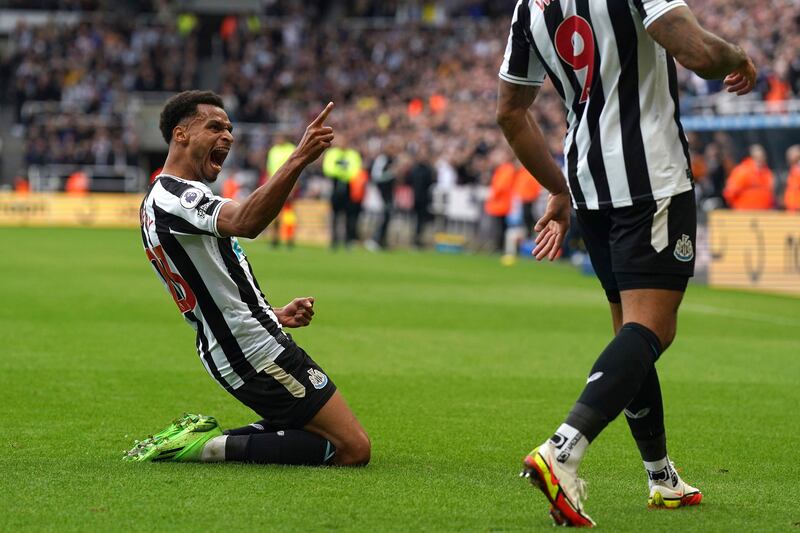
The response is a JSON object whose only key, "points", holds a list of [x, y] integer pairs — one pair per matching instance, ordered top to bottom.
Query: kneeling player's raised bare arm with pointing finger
{"points": [[249, 218]]}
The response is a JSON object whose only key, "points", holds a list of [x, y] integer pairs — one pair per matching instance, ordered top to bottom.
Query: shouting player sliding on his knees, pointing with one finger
{"points": [[190, 237]]}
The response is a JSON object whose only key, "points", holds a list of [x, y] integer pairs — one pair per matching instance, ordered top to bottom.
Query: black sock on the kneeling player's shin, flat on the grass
{"points": [[289, 447]]}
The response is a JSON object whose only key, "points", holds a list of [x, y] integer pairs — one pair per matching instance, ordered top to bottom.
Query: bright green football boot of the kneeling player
{"points": [[181, 441]]}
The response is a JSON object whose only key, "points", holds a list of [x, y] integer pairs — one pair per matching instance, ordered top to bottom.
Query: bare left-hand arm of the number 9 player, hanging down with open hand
{"points": [[526, 139]]}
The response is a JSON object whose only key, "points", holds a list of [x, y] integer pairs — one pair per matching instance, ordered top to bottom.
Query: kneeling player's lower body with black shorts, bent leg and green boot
{"points": [[304, 420]]}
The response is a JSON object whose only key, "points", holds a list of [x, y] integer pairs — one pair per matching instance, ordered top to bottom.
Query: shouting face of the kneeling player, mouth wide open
{"points": [[210, 139]]}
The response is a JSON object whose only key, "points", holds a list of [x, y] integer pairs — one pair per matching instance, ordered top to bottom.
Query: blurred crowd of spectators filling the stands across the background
{"points": [[414, 81]]}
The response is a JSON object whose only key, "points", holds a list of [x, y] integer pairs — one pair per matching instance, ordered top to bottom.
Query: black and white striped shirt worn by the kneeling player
{"points": [[210, 279]]}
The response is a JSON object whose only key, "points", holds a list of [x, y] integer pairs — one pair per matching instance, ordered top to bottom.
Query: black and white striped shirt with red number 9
{"points": [[625, 143]]}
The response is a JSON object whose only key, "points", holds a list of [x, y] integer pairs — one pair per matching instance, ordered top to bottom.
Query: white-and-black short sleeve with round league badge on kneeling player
{"points": [[181, 208]]}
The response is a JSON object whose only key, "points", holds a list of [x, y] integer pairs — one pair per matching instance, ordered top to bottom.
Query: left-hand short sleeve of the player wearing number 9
{"points": [[521, 64]]}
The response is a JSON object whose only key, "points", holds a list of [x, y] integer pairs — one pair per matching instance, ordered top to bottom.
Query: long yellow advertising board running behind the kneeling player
{"points": [[122, 211]]}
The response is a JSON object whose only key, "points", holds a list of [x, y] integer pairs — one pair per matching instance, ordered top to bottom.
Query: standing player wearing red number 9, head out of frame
{"points": [[628, 172]]}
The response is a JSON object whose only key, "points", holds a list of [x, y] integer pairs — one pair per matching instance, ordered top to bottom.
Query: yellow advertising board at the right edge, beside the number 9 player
{"points": [[756, 250]]}
